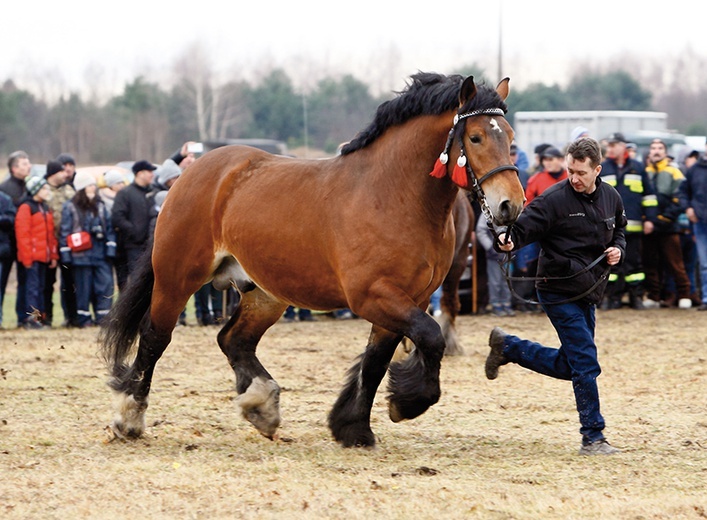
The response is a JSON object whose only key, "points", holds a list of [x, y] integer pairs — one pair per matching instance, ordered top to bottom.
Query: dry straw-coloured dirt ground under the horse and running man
{"points": [[489, 449]]}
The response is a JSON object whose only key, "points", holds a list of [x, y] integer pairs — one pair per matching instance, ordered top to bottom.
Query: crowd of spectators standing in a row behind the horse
{"points": [[87, 233]]}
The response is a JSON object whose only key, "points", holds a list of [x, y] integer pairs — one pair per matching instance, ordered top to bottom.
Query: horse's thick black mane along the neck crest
{"points": [[427, 94]]}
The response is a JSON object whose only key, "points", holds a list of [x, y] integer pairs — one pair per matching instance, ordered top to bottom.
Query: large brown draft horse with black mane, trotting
{"points": [[370, 230]]}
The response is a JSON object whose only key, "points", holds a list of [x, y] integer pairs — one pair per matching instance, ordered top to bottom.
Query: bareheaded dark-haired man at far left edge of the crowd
{"points": [[19, 166]]}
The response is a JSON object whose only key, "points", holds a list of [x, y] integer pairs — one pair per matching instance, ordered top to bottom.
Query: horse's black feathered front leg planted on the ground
{"points": [[350, 419]]}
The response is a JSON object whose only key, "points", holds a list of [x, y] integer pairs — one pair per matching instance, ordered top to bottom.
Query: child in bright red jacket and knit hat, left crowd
{"points": [[36, 247]]}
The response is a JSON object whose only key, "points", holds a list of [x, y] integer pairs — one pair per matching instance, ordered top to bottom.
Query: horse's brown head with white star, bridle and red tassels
{"points": [[481, 140]]}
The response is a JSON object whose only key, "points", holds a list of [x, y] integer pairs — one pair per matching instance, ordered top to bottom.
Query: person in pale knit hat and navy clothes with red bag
{"points": [[92, 267]]}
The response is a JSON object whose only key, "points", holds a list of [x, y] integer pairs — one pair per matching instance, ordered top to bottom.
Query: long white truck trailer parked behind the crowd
{"points": [[555, 127]]}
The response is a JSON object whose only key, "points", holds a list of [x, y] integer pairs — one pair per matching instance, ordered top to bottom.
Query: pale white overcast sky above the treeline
{"points": [[70, 44]]}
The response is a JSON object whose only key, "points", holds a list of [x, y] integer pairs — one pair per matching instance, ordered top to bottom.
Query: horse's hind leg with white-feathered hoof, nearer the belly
{"points": [[258, 393]]}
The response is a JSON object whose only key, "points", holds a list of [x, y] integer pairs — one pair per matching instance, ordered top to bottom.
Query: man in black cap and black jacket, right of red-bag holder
{"points": [[131, 215]]}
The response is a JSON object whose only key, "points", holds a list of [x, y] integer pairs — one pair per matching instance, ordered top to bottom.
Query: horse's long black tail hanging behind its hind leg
{"points": [[128, 316]]}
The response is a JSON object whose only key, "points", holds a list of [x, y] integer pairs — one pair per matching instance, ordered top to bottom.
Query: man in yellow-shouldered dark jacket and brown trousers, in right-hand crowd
{"points": [[661, 248]]}
